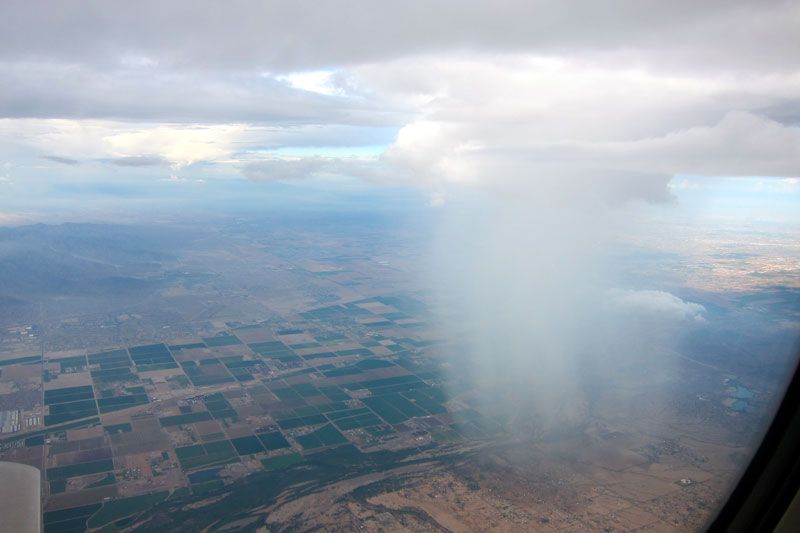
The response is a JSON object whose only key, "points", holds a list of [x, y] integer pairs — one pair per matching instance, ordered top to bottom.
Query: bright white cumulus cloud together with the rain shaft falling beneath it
{"points": [[562, 149]]}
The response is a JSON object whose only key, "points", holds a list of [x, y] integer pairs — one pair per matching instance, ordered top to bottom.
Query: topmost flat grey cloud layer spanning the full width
{"points": [[305, 34]]}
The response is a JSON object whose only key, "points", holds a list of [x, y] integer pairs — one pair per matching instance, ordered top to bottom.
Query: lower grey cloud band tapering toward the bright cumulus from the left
{"points": [[52, 90]]}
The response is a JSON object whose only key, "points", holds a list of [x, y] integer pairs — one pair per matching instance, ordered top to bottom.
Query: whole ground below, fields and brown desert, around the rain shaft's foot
{"points": [[347, 406]]}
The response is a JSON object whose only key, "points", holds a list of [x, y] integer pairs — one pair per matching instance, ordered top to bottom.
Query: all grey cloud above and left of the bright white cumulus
{"points": [[202, 61]]}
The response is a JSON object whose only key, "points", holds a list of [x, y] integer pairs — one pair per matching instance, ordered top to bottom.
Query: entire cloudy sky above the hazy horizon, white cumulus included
{"points": [[582, 101]]}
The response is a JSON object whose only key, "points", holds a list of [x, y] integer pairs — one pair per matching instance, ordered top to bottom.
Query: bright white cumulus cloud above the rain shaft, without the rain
{"points": [[491, 121]]}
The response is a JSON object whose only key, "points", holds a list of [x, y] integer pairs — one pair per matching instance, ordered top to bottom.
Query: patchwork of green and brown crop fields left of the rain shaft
{"points": [[126, 426]]}
